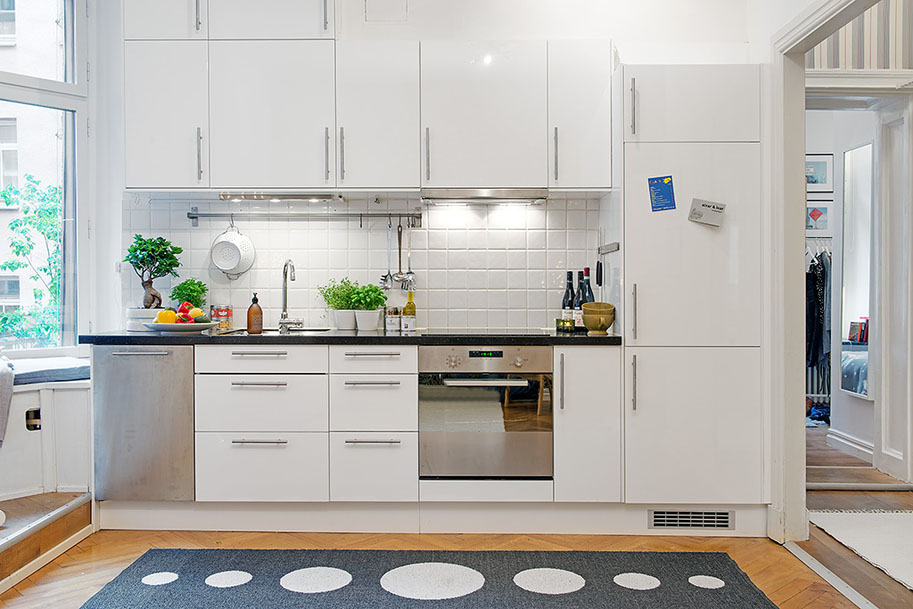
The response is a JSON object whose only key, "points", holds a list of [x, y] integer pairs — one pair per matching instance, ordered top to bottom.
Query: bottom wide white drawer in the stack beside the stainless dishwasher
{"points": [[262, 467]]}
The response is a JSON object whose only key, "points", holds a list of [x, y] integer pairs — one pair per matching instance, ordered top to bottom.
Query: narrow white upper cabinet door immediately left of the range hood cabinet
{"points": [[377, 113]]}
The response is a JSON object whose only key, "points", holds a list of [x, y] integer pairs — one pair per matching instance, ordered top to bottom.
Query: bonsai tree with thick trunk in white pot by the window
{"points": [[150, 258]]}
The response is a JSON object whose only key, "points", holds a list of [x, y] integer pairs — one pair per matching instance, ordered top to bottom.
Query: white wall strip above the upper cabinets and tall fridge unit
{"points": [[645, 31]]}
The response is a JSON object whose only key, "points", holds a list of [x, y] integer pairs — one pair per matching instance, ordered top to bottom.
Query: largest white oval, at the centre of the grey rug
{"points": [[432, 581]]}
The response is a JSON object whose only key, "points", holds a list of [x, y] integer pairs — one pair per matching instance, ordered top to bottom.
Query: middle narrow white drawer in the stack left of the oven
{"points": [[374, 402]]}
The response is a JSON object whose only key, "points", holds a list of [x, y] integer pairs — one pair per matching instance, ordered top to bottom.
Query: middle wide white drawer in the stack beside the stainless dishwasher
{"points": [[261, 402]]}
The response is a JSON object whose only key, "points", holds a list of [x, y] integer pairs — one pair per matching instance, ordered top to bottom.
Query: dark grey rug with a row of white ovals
{"points": [[337, 579]]}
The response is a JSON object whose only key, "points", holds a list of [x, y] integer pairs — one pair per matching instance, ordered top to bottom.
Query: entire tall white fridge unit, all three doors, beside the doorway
{"points": [[693, 415]]}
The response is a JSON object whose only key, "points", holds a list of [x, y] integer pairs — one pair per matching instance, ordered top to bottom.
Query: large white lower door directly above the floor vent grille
{"points": [[693, 425]]}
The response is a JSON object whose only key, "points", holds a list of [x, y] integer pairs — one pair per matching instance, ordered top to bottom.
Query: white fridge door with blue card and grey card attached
{"points": [[690, 284]]}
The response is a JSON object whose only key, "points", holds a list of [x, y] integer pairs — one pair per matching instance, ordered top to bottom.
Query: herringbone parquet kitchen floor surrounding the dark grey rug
{"points": [[71, 579]]}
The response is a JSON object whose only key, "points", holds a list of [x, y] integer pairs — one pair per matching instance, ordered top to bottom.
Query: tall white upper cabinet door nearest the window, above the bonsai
{"points": [[166, 111]]}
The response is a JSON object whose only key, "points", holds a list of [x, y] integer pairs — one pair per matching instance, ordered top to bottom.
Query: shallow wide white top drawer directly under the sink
{"points": [[276, 359]]}
